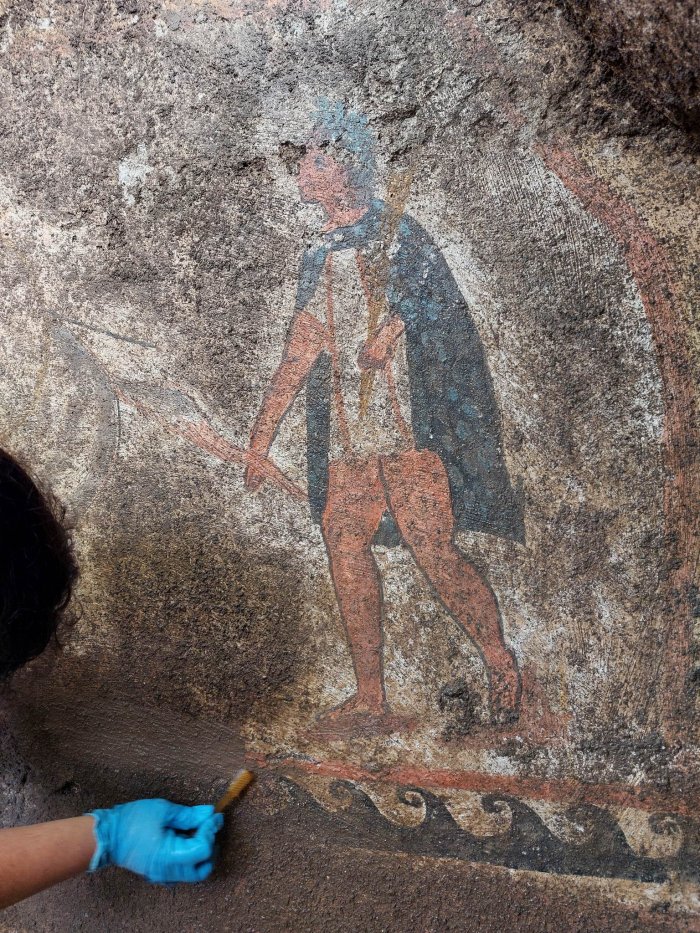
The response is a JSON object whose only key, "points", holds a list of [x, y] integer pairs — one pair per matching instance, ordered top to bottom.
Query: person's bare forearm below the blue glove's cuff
{"points": [[35, 857]]}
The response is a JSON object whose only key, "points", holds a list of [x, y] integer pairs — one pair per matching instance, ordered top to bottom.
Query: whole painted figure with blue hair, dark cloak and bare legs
{"points": [[403, 427]]}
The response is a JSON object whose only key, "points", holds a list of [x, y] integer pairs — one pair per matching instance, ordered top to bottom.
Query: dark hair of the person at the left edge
{"points": [[37, 567]]}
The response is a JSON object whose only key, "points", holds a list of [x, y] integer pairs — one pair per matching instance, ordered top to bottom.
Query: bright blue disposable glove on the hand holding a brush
{"points": [[147, 837]]}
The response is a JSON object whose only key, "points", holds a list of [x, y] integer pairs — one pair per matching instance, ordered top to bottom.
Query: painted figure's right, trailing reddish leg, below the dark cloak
{"points": [[419, 496]]}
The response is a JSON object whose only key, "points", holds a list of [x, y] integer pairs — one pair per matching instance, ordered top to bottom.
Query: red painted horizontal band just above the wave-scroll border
{"points": [[649, 799]]}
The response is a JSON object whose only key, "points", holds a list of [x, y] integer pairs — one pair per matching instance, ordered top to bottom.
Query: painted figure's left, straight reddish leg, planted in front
{"points": [[354, 508]]}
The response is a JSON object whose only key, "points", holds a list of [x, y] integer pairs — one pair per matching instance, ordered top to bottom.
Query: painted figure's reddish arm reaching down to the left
{"points": [[306, 339]]}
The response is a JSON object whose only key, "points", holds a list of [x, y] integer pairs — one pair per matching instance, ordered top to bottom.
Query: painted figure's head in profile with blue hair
{"points": [[338, 169]]}
